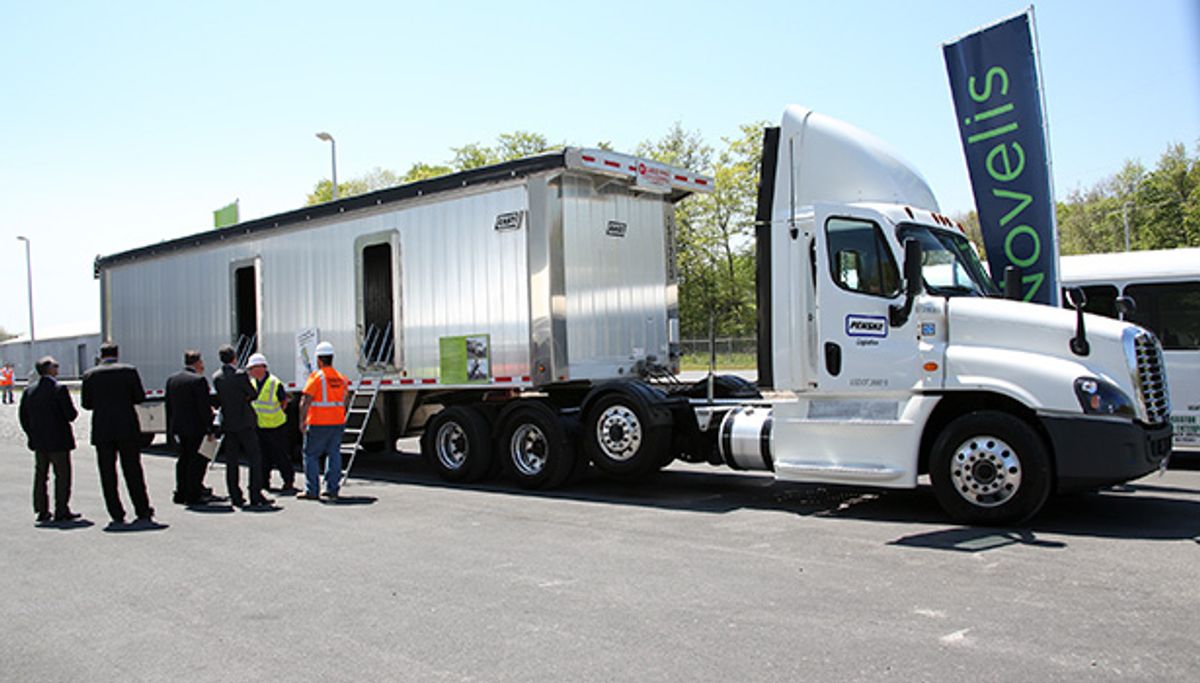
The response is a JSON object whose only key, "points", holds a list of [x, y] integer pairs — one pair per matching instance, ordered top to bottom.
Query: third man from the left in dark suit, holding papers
{"points": [[189, 422]]}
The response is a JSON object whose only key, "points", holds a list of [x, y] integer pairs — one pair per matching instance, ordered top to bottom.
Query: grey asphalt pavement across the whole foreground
{"points": [[700, 574]]}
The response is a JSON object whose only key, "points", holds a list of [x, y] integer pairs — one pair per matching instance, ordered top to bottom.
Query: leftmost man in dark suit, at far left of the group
{"points": [[46, 416]]}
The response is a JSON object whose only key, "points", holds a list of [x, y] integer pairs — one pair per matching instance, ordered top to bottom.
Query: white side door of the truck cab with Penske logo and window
{"points": [[859, 279]]}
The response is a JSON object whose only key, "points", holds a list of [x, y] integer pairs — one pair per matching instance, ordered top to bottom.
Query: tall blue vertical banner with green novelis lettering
{"points": [[995, 83]]}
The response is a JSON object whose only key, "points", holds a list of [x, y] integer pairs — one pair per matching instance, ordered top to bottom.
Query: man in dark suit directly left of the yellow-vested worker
{"points": [[238, 424]]}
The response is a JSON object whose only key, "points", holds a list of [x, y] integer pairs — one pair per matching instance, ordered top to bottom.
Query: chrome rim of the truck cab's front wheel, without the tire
{"points": [[986, 471]]}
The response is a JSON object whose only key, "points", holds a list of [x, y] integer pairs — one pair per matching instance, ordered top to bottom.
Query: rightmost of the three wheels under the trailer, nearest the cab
{"points": [[620, 440]]}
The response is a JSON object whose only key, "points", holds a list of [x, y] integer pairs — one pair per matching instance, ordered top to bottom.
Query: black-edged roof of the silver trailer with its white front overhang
{"points": [[677, 185]]}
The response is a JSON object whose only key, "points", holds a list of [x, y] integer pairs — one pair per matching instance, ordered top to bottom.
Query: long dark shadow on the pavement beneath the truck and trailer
{"points": [[1144, 511]]}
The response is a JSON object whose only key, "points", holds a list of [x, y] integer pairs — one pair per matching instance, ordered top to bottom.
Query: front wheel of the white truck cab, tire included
{"points": [[991, 469]]}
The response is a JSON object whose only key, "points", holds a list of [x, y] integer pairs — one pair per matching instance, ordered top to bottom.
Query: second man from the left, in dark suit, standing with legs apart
{"points": [[110, 392]]}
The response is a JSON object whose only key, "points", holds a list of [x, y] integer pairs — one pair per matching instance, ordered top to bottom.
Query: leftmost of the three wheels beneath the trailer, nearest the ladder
{"points": [[458, 445]]}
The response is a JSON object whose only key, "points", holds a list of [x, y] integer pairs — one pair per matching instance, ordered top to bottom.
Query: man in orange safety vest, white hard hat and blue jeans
{"points": [[322, 421]]}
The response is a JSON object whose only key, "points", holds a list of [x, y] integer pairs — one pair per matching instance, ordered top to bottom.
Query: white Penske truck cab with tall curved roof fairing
{"points": [[904, 360]]}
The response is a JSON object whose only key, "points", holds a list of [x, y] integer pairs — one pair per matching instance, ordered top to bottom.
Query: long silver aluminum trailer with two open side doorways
{"points": [[547, 275]]}
